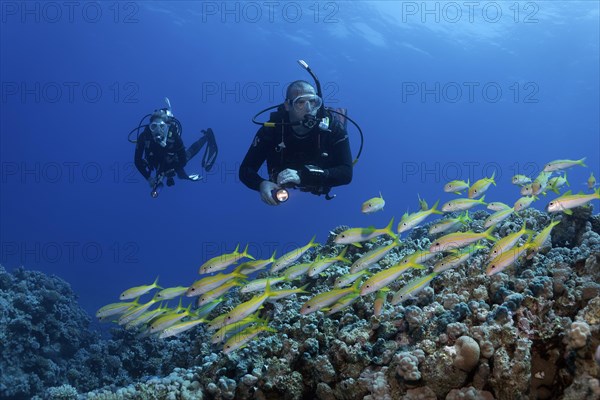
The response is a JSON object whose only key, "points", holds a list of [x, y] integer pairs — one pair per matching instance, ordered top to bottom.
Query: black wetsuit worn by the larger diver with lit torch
{"points": [[328, 150]]}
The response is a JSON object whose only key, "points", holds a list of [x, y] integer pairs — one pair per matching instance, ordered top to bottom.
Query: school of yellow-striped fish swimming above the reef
{"points": [[235, 328]]}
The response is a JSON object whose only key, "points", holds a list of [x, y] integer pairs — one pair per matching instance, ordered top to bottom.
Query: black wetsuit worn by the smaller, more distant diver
{"points": [[150, 155]]}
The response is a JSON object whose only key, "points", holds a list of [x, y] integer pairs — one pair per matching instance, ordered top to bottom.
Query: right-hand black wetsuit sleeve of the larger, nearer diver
{"points": [[340, 171]]}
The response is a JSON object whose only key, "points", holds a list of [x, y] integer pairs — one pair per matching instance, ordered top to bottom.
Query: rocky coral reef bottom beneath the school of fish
{"points": [[529, 332]]}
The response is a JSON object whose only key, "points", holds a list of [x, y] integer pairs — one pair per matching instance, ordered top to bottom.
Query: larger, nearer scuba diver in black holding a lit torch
{"points": [[303, 145]]}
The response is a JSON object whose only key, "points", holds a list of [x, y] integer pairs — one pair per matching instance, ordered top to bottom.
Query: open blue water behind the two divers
{"points": [[442, 91]]}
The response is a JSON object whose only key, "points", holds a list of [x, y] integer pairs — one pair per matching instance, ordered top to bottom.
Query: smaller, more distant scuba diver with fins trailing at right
{"points": [[159, 148]]}
